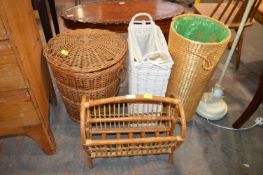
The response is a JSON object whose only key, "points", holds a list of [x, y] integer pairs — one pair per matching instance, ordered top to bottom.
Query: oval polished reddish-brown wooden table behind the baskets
{"points": [[115, 15]]}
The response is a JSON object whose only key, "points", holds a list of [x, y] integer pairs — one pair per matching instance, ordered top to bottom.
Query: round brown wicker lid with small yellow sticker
{"points": [[85, 50]]}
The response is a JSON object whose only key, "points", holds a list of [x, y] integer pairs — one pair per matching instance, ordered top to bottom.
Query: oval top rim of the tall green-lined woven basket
{"points": [[202, 16]]}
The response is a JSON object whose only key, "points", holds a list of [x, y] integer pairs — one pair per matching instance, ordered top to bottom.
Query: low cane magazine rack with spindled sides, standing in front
{"points": [[111, 127]]}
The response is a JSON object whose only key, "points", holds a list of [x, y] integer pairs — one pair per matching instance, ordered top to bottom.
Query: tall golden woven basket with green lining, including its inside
{"points": [[195, 59]]}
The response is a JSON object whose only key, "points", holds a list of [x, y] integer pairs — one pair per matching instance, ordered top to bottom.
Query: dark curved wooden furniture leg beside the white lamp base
{"points": [[252, 107]]}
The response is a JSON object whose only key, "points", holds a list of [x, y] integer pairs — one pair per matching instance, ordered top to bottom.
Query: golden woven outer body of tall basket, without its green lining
{"points": [[194, 64]]}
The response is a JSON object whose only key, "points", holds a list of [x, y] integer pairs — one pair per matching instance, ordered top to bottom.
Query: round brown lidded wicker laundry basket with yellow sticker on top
{"points": [[87, 61]]}
